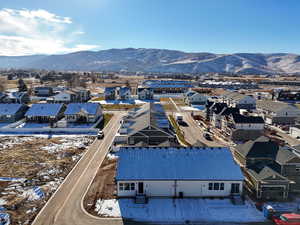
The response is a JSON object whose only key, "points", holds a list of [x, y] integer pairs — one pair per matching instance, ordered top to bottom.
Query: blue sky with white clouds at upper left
{"points": [[219, 26]]}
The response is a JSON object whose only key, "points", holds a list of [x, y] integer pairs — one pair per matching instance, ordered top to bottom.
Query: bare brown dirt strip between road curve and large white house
{"points": [[103, 186]]}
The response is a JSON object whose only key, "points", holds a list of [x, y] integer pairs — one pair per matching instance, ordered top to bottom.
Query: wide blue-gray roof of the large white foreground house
{"points": [[176, 164]]}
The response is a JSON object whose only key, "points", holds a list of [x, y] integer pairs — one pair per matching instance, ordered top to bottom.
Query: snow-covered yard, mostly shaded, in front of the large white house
{"points": [[180, 210]]}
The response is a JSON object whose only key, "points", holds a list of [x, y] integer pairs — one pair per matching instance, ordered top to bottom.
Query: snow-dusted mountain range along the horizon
{"points": [[158, 60]]}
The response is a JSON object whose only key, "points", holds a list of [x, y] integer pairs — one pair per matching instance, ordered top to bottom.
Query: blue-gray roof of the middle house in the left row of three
{"points": [[44, 110]]}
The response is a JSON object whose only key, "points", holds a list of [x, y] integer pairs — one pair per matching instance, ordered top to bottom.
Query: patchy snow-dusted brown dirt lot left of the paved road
{"points": [[34, 163]]}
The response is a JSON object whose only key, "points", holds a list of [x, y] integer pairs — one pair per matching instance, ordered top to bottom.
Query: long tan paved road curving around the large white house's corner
{"points": [[65, 206]]}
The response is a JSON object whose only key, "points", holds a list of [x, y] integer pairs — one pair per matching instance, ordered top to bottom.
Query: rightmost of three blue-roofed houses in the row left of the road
{"points": [[83, 112]]}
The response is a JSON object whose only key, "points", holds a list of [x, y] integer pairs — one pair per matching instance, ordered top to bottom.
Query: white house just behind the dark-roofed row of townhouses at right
{"points": [[241, 101]]}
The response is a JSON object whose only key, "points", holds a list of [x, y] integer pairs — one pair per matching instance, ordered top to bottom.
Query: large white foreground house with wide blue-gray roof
{"points": [[177, 172]]}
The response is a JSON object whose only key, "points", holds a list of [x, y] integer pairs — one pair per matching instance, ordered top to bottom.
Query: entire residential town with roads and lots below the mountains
{"points": [[120, 147]]}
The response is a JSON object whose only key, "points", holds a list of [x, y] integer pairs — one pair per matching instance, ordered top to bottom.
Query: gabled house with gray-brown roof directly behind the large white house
{"points": [[146, 126]]}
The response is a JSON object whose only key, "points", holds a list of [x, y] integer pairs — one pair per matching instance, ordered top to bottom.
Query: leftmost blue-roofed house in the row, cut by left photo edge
{"points": [[12, 112]]}
